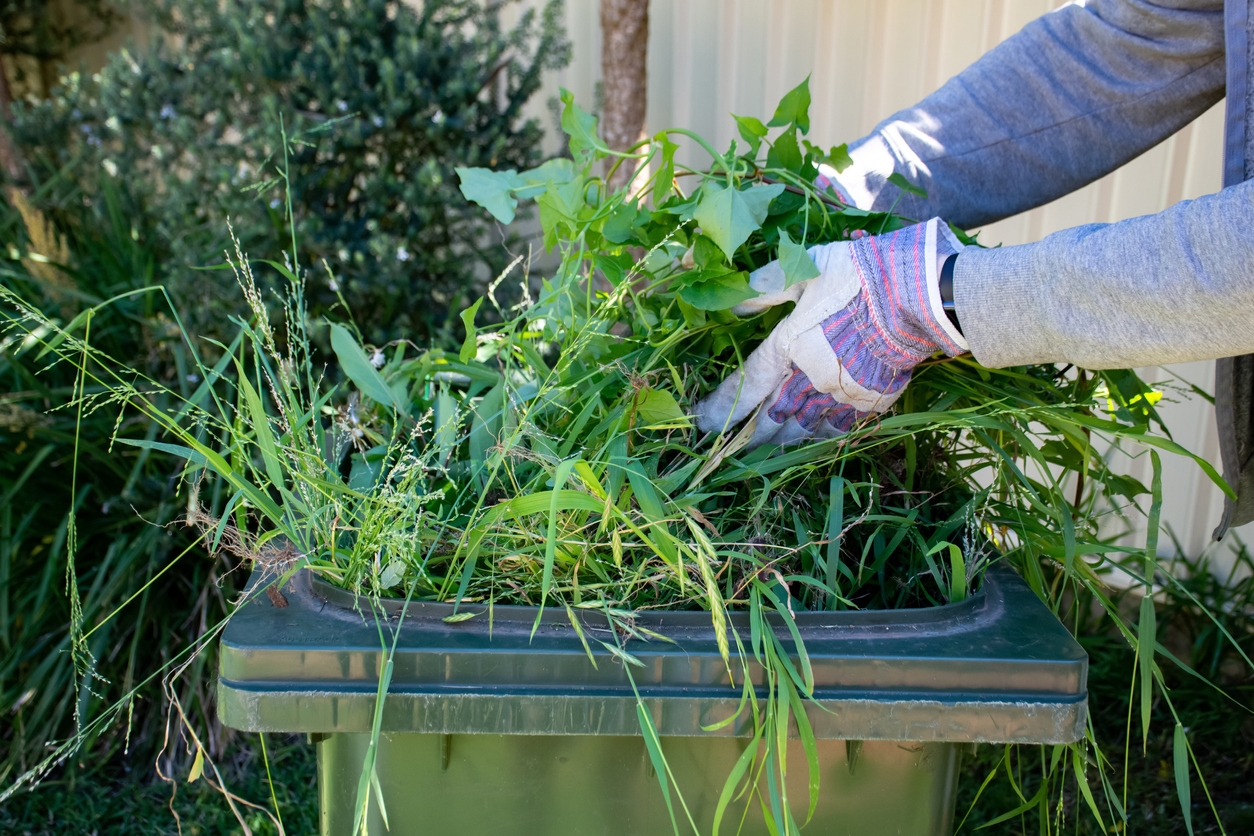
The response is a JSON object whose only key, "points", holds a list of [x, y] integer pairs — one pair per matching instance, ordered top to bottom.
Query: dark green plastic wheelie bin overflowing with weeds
{"points": [[517, 735]]}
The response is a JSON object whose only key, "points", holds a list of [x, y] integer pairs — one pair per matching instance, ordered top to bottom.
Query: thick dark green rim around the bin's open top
{"points": [[998, 667]]}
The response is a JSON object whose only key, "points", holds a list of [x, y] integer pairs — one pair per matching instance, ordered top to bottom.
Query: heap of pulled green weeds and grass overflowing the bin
{"points": [[554, 459]]}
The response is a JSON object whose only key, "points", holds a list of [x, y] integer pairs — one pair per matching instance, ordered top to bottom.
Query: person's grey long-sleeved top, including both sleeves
{"points": [[1074, 96]]}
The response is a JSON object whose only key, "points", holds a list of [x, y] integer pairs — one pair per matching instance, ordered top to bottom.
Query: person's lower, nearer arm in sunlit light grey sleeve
{"points": [[1162, 289]]}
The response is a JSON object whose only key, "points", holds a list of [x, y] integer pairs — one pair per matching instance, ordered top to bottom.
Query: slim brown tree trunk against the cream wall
{"points": [[625, 78]]}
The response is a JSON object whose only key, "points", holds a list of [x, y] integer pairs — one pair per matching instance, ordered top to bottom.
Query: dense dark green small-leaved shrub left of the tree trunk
{"points": [[384, 98]]}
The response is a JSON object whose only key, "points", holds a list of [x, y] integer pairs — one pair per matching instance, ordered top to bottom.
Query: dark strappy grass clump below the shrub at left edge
{"points": [[58, 466]]}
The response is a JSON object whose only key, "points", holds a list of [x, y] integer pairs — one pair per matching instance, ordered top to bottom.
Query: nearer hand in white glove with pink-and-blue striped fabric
{"points": [[851, 344]]}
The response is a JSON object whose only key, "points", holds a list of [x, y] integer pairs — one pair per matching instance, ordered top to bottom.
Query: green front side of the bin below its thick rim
{"points": [[594, 786]]}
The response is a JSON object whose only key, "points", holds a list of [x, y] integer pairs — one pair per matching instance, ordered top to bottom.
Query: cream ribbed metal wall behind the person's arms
{"points": [[867, 60]]}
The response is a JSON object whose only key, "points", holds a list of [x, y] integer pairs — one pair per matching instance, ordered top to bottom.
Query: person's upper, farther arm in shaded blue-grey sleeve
{"points": [[1070, 98]]}
